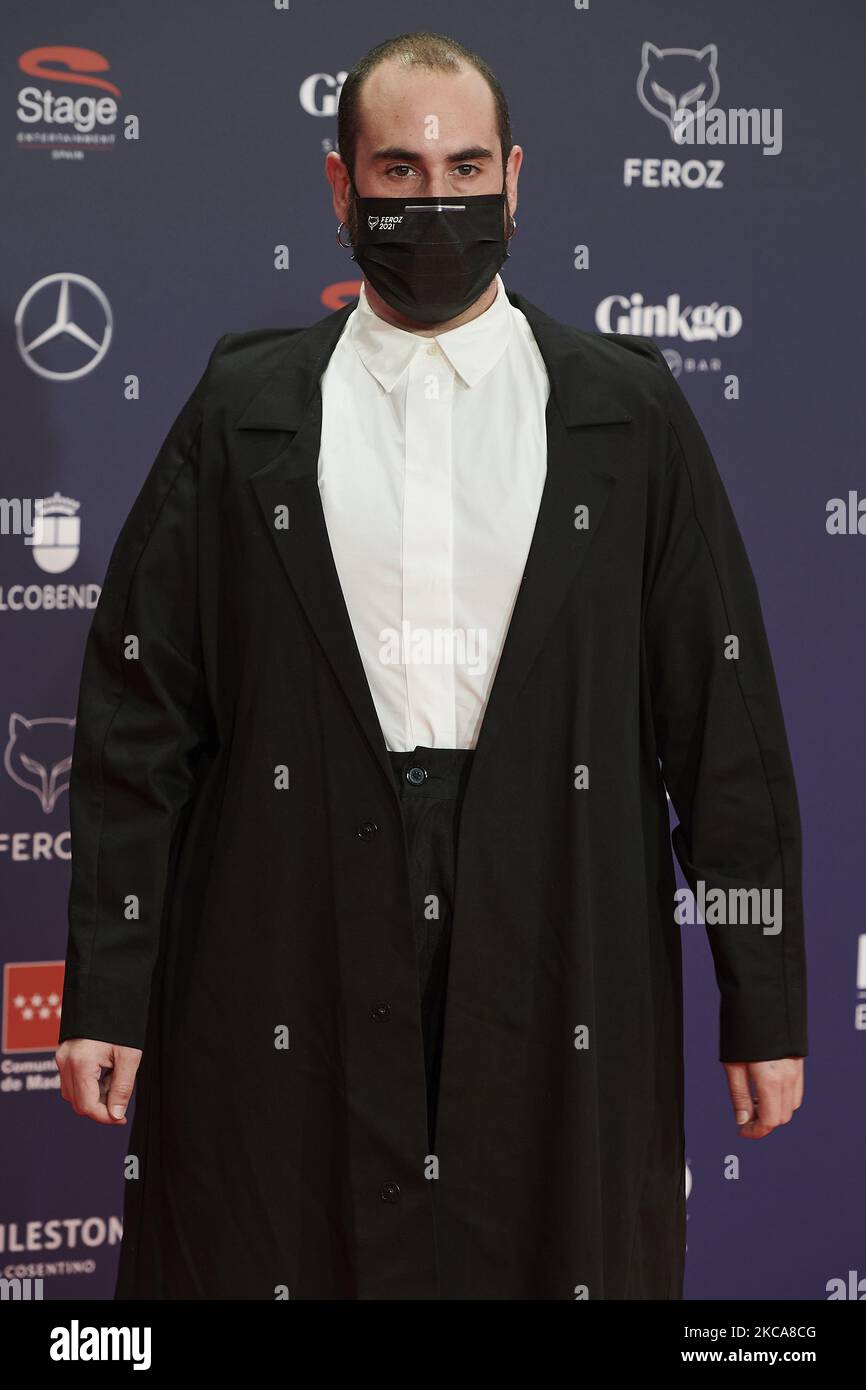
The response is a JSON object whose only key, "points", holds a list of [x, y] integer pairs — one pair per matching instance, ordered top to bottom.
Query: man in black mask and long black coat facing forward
{"points": [[418, 615]]}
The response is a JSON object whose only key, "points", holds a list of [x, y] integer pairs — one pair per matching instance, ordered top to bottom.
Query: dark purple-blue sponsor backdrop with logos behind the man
{"points": [[165, 179]]}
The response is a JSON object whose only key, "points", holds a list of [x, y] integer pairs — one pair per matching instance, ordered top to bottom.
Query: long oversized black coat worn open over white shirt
{"points": [[216, 910]]}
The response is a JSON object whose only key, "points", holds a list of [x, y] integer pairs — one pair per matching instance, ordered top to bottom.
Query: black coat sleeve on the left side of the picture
{"points": [[142, 719]]}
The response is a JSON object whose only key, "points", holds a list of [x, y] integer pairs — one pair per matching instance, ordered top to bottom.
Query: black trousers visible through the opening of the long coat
{"points": [[433, 783]]}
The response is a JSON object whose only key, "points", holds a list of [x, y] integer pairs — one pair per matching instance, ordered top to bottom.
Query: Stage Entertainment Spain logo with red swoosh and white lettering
{"points": [[70, 108]]}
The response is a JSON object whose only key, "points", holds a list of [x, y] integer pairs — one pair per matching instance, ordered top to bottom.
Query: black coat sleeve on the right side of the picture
{"points": [[722, 743]]}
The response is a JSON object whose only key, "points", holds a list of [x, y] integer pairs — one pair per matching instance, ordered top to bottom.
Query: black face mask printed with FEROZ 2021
{"points": [[430, 258]]}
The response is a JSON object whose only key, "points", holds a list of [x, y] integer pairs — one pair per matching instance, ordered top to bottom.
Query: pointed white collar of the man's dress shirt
{"points": [[472, 350]]}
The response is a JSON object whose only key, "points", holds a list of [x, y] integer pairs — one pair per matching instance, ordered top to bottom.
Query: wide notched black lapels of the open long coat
{"points": [[580, 473]]}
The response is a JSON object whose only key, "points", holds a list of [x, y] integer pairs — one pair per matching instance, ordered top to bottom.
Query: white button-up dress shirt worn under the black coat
{"points": [[432, 469]]}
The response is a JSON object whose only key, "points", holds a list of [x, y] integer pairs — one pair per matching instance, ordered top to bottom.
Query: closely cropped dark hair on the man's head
{"points": [[436, 54]]}
